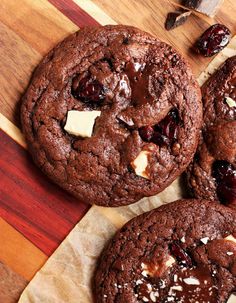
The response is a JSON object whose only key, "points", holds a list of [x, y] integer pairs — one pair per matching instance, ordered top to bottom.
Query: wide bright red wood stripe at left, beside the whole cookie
{"points": [[31, 203]]}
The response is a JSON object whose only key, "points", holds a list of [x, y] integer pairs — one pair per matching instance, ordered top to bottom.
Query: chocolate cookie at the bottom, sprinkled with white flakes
{"points": [[184, 251]]}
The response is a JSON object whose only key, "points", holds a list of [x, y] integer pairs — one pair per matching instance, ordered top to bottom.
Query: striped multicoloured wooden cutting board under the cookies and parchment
{"points": [[35, 214]]}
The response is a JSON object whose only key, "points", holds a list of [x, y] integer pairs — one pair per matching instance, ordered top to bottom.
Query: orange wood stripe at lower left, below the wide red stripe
{"points": [[19, 253]]}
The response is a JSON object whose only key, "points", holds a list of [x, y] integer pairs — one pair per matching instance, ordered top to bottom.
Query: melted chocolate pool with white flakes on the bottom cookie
{"points": [[185, 285]]}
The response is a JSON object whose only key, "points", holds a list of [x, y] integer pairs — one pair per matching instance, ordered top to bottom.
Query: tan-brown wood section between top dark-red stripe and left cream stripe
{"points": [[25, 36]]}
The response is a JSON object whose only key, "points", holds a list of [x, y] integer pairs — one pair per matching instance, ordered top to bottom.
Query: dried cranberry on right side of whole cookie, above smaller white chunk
{"points": [[163, 133]]}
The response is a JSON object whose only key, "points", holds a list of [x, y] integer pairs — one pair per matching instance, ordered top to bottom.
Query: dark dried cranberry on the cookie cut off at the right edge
{"points": [[225, 175]]}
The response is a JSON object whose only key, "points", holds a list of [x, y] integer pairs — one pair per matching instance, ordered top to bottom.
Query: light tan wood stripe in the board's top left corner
{"points": [[38, 23]]}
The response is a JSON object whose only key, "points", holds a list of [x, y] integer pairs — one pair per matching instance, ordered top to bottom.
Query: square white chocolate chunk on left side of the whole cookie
{"points": [[80, 123]]}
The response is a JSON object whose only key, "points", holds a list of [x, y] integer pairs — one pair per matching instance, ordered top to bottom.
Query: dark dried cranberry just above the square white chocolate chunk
{"points": [[88, 89]]}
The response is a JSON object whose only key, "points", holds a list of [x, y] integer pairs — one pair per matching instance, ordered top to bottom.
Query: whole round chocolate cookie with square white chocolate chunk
{"points": [[112, 115]]}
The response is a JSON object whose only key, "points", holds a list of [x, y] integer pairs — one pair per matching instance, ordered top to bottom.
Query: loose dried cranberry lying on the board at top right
{"points": [[213, 40]]}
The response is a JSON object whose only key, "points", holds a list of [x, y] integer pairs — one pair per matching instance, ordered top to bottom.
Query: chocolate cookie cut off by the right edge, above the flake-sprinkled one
{"points": [[212, 175]]}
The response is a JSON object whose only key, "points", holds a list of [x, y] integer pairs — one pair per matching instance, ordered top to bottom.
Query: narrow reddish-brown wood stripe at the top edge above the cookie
{"points": [[72, 11]]}
